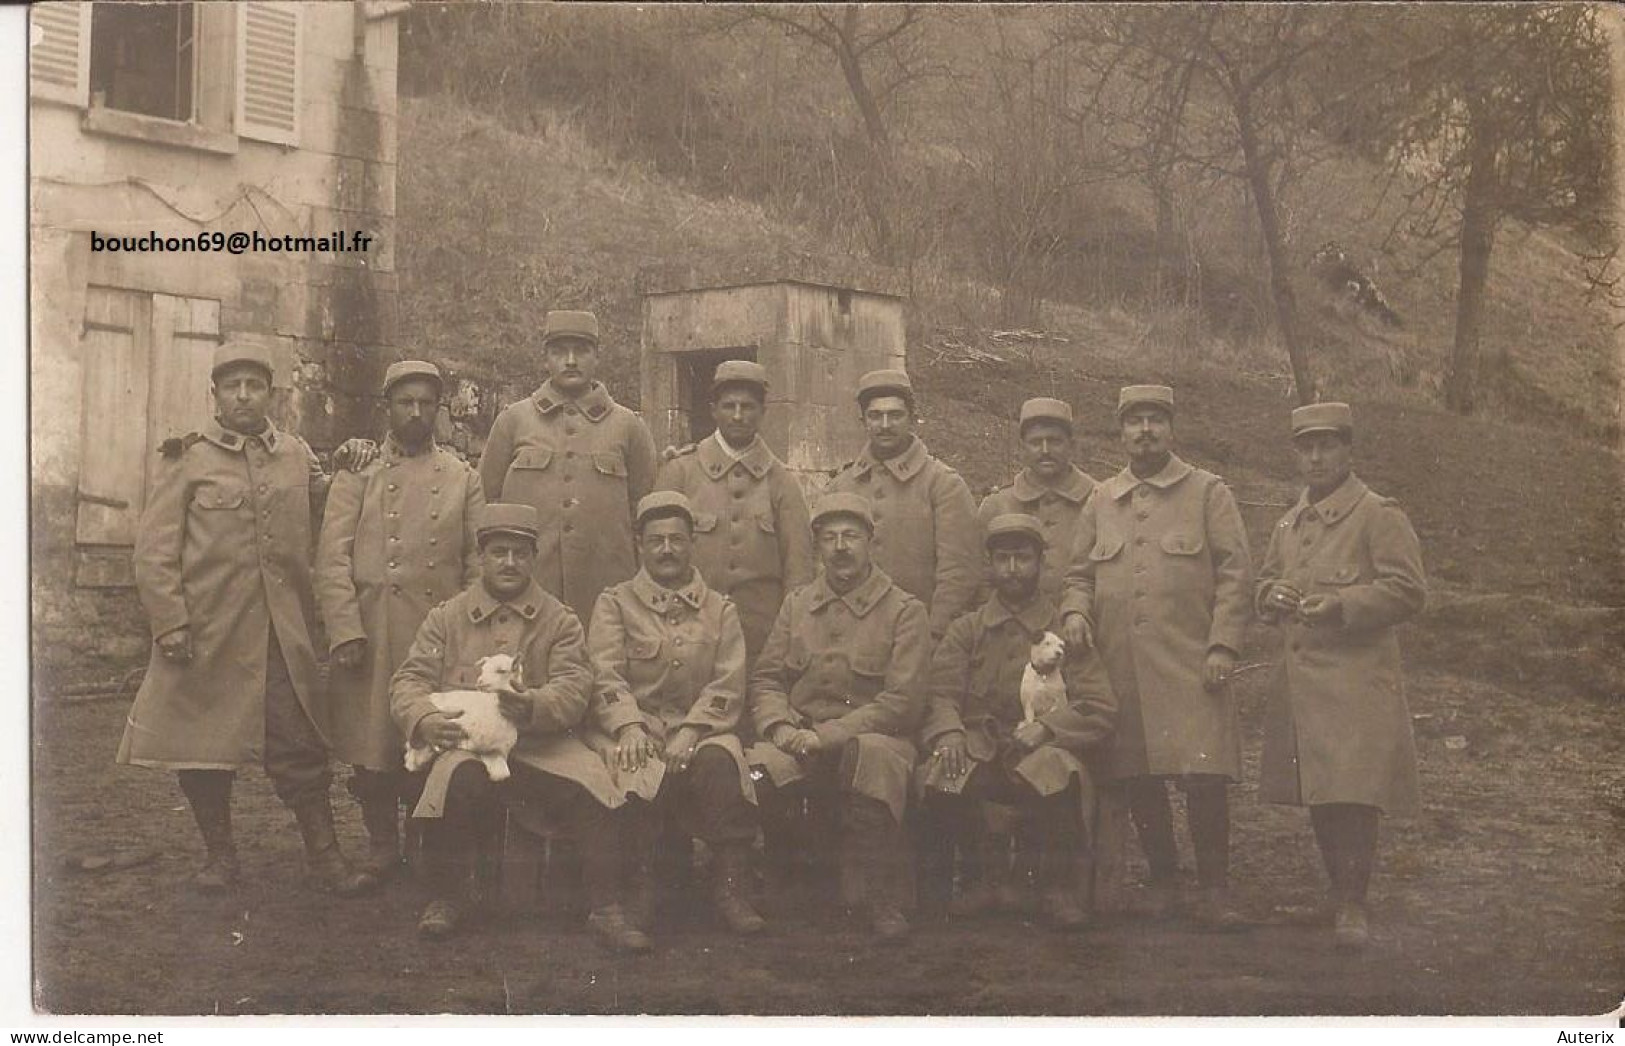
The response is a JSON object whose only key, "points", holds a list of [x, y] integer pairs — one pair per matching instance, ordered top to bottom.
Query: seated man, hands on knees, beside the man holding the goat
{"points": [[669, 693]]}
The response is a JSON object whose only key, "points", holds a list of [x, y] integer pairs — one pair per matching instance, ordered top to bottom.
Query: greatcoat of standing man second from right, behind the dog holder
{"points": [[1163, 573]]}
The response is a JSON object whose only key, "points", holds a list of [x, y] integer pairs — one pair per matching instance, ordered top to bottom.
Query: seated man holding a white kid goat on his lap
{"points": [[555, 777]]}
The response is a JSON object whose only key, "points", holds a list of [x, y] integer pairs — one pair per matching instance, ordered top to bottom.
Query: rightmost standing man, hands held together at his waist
{"points": [[1343, 569]]}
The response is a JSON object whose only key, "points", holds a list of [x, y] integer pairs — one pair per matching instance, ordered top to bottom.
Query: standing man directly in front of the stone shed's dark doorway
{"points": [[752, 535]]}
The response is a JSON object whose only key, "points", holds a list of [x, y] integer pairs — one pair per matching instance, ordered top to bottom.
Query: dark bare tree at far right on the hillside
{"points": [[1496, 113]]}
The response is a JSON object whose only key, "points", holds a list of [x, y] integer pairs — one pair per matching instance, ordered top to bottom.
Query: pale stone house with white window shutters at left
{"points": [[157, 128]]}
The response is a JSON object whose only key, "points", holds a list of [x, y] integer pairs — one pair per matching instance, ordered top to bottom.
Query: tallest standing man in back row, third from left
{"points": [[581, 460]]}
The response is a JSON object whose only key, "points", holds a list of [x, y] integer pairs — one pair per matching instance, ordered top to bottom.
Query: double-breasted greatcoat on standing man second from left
{"points": [[397, 540]]}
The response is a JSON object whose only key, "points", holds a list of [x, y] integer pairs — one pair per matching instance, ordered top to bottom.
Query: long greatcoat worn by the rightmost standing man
{"points": [[1338, 728]]}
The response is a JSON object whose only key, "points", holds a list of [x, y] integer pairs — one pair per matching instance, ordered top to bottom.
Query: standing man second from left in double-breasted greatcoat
{"points": [[397, 540]]}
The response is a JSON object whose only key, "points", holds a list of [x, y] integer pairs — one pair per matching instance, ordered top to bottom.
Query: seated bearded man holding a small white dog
{"points": [[987, 750]]}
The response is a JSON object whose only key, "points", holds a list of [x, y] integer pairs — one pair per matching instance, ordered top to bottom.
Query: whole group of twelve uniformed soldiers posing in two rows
{"points": [[704, 655]]}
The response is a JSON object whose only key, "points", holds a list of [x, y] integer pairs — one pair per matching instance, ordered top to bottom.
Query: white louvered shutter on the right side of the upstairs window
{"points": [[269, 72]]}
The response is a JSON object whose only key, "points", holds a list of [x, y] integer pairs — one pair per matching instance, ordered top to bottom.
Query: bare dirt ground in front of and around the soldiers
{"points": [[1506, 897]]}
